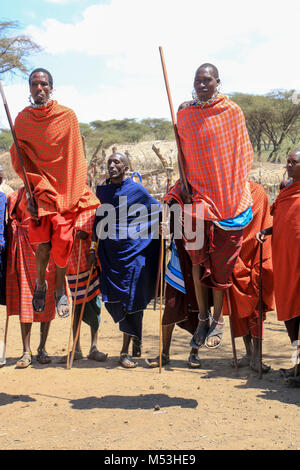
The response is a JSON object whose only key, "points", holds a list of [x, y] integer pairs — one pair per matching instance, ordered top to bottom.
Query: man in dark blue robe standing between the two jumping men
{"points": [[127, 223]]}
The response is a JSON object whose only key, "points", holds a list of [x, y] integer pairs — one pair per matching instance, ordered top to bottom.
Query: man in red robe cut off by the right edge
{"points": [[286, 255]]}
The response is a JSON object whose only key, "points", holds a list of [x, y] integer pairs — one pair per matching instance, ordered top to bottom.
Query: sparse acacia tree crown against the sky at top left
{"points": [[14, 48]]}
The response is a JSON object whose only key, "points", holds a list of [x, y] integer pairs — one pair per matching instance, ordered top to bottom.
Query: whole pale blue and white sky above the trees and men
{"points": [[104, 55]]}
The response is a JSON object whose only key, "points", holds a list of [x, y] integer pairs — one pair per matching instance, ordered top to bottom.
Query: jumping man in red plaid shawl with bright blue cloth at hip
{"points": [[217, 159]]}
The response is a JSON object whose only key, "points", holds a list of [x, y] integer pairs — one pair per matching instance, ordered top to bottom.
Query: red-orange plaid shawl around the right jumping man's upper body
{"points": [[217, 158]]}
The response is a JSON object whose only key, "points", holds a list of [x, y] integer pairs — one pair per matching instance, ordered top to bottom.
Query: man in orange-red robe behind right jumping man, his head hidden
{"points": [[244, 292]]}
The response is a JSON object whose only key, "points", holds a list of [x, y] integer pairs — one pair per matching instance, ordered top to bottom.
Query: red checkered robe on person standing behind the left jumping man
{"points": [[21, 269]]}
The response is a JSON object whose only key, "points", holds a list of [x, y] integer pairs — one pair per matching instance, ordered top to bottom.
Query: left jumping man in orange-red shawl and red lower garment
{"points": [[51, 145]]}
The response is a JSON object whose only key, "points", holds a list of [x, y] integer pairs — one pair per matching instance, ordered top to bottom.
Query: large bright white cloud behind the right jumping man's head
{"points": [[254, 45]]}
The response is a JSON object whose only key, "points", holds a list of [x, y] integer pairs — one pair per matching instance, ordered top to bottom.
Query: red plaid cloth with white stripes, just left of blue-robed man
{"points": [[85, 223]]}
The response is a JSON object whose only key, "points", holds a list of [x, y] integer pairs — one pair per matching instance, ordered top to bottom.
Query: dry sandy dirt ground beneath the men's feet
{"points": [[103, 406]]}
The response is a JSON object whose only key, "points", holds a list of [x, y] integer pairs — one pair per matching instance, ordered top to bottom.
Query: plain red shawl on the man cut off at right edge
{"points": [[286, 252]]}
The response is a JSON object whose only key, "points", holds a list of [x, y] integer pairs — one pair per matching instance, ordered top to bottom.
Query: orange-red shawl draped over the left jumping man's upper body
{"points": [[51, 145]]}
